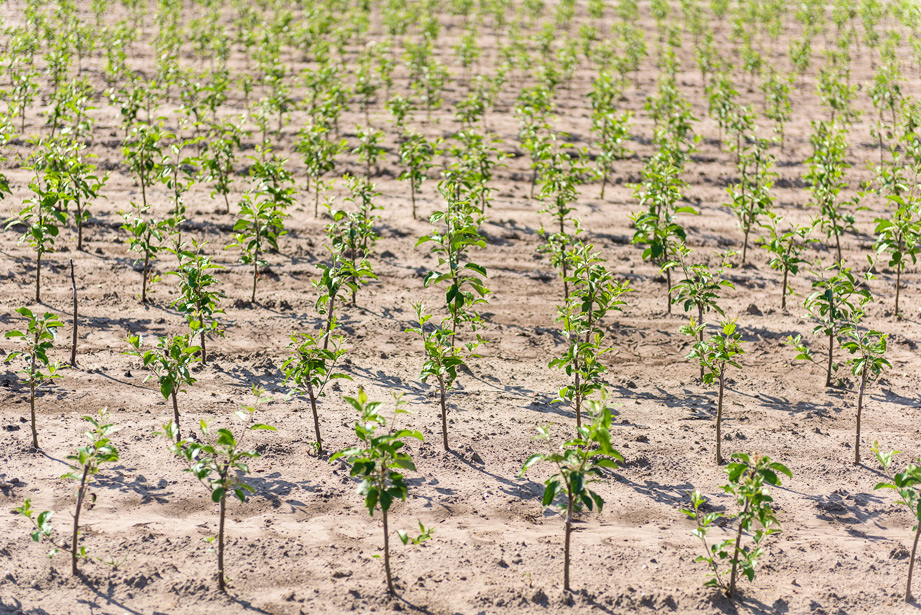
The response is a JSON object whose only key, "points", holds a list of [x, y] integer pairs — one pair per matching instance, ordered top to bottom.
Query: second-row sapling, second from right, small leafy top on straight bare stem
{"points": [[714, 355]]}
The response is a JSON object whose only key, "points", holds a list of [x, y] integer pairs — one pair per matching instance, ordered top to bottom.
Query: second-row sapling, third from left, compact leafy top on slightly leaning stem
{"points": [[310, 369]]}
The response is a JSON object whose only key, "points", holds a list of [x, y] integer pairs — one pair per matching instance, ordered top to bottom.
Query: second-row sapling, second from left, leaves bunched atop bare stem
{"points": [[170, 363]]}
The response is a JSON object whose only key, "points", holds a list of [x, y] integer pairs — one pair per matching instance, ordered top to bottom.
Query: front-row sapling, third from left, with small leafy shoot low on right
{"points": [[379, 461]]}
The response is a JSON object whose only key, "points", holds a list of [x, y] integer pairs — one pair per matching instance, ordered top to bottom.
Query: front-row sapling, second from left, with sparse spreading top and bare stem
{"points": [[219, 463]]}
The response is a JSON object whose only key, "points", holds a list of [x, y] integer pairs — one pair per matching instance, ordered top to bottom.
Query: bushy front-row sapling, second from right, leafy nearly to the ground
{"points": [[748, 481]]}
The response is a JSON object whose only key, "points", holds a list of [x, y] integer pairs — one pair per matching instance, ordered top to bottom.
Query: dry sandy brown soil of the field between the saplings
{"points": [[305, 544]]}
